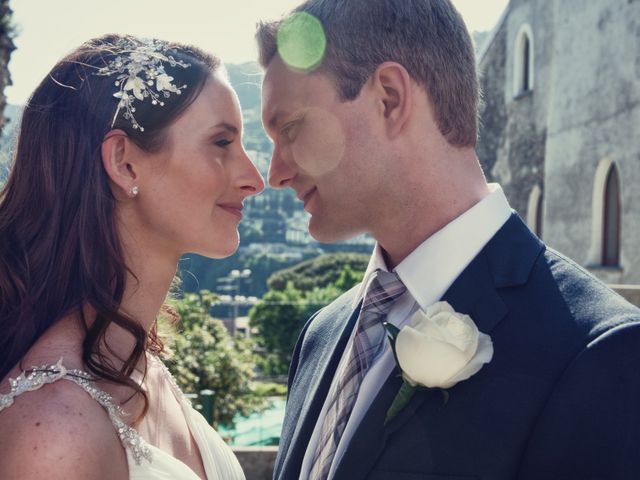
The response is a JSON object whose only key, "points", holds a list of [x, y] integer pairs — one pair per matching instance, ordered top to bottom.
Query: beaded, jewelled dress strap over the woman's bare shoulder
{"points": [[37, 377]]}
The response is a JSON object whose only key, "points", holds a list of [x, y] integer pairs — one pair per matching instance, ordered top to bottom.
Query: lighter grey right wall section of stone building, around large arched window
{"points": [[594, 117]]}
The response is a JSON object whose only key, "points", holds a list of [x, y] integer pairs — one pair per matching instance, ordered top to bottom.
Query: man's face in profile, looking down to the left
{"points": [[323, 149]]}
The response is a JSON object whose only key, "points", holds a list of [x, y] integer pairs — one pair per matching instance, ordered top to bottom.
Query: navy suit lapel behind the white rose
{"points": [[505, 261]]}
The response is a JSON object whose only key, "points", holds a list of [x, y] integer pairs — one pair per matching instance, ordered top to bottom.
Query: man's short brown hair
{"points": [[428, 37]]}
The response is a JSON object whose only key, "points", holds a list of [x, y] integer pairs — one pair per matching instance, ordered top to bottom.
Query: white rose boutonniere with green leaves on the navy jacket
{"points": [[437, 349]]}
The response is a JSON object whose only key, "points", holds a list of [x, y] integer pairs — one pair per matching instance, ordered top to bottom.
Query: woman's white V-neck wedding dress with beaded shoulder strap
{"points": [[145, 461]]}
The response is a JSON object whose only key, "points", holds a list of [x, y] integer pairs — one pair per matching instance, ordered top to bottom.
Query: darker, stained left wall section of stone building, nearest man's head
{"points": [[513, 132]]}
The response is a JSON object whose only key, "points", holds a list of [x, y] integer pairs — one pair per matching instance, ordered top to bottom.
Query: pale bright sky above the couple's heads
{"points": [[47, 29]]}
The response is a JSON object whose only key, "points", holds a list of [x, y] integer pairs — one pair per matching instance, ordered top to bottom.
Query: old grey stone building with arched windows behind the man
{"points": [[561, 126]]}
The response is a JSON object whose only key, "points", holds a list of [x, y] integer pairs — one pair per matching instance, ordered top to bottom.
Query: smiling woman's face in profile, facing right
{"points": [[191, 192]]}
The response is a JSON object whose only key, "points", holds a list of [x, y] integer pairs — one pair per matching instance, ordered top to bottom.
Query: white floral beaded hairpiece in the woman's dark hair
{"points": [[140, 75]]}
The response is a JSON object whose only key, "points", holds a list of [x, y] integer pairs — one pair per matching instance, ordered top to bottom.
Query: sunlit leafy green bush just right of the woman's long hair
{"points": [[206, 356]]}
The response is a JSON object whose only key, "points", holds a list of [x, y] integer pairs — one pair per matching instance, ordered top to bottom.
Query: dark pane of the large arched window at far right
{"points": [[611, 220]]}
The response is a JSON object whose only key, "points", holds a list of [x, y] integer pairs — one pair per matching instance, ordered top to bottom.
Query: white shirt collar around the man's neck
{"points": [[434, 265]]}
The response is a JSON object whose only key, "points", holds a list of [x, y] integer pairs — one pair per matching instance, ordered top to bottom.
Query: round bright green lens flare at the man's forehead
{"points": [[302, 42]]}
